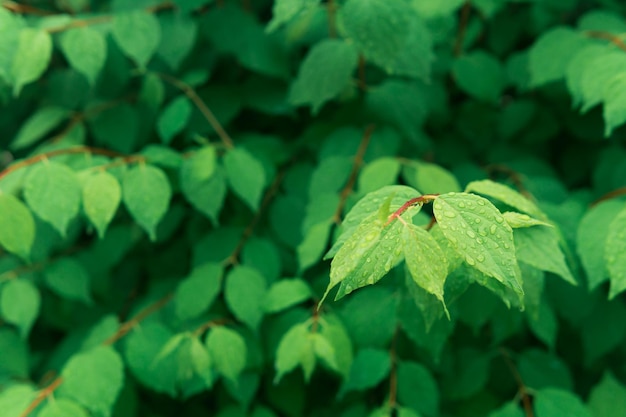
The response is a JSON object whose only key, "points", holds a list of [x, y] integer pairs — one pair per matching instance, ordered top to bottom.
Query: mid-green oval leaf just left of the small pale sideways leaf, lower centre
{"points": [[245, 293]]}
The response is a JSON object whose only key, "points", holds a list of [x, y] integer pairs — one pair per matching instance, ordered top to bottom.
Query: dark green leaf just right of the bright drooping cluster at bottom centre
{"points": [[369, 368]]}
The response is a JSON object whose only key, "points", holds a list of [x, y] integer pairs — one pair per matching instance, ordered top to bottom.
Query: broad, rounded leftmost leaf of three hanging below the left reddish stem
{"points": [[53, 192]]}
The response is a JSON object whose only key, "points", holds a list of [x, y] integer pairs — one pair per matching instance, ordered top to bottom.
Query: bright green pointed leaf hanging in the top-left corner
{"points": [[34, 50]]}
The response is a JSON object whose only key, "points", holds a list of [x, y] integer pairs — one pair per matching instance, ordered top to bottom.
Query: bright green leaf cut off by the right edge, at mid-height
{"points": [[615, 254]]}
